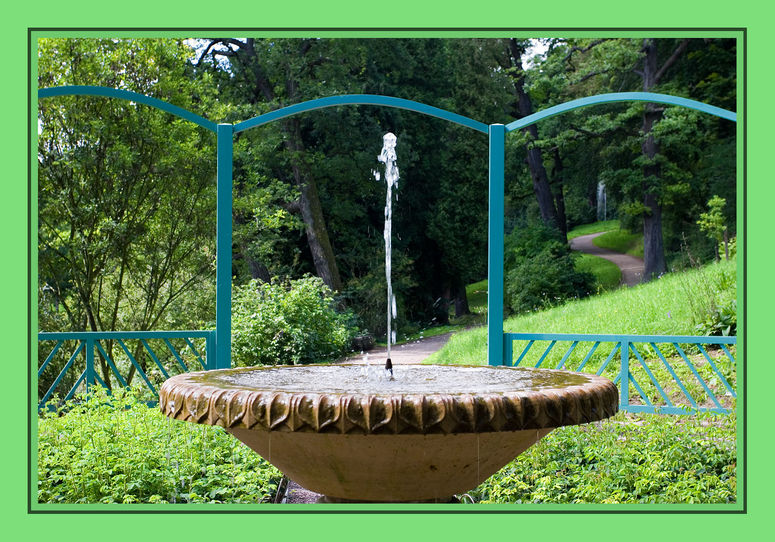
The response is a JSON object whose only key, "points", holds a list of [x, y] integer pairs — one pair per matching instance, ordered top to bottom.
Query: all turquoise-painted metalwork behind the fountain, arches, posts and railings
{"points": [[500, 345]]}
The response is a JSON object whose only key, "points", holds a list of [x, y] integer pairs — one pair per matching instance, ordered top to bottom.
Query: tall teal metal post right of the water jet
{"points": [[495, 342]]}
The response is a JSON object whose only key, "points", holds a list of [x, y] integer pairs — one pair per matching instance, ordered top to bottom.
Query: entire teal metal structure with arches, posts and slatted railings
{"points": [[500, 345]]}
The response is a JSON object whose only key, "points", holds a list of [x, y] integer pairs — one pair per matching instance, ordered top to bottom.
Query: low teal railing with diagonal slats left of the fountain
{"points": [[105, 358]]}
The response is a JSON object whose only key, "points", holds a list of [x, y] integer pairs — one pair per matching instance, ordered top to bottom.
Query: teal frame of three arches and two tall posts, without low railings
{"points": [[496, 340]]}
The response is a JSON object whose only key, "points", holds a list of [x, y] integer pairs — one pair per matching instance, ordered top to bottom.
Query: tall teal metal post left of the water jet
{"points": [[225, 133]]}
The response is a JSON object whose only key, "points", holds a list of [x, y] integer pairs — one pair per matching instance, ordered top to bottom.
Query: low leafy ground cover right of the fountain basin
{"points": [[625, 459]]}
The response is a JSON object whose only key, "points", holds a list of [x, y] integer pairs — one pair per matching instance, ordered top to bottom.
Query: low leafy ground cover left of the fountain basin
{"points": [[115, 449]]}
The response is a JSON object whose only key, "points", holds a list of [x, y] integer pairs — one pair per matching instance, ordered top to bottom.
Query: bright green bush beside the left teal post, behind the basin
{"points": [[290, 323]]}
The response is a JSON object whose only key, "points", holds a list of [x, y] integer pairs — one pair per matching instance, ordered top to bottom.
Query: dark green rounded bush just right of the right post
{"points": [[540, 270]]}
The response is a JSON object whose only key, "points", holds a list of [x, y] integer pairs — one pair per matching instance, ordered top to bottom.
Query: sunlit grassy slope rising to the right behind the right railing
{"points": [[668, 306]]}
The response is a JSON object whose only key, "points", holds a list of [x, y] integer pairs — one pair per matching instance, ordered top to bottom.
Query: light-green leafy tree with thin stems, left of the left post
{"points": [[126, 192]]}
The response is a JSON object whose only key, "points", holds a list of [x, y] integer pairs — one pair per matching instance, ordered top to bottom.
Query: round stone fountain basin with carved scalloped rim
{"points": [[349, 433]]}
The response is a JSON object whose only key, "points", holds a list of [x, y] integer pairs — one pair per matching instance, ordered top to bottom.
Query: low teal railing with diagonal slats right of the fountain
{"points": [[664, 374]]}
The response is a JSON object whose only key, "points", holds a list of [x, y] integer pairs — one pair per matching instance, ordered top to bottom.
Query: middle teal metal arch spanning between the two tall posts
{"points": [[360, 99]]}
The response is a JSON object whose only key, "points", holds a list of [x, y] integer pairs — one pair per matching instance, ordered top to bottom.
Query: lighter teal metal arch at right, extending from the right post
{"points": [[621, 97]]}
